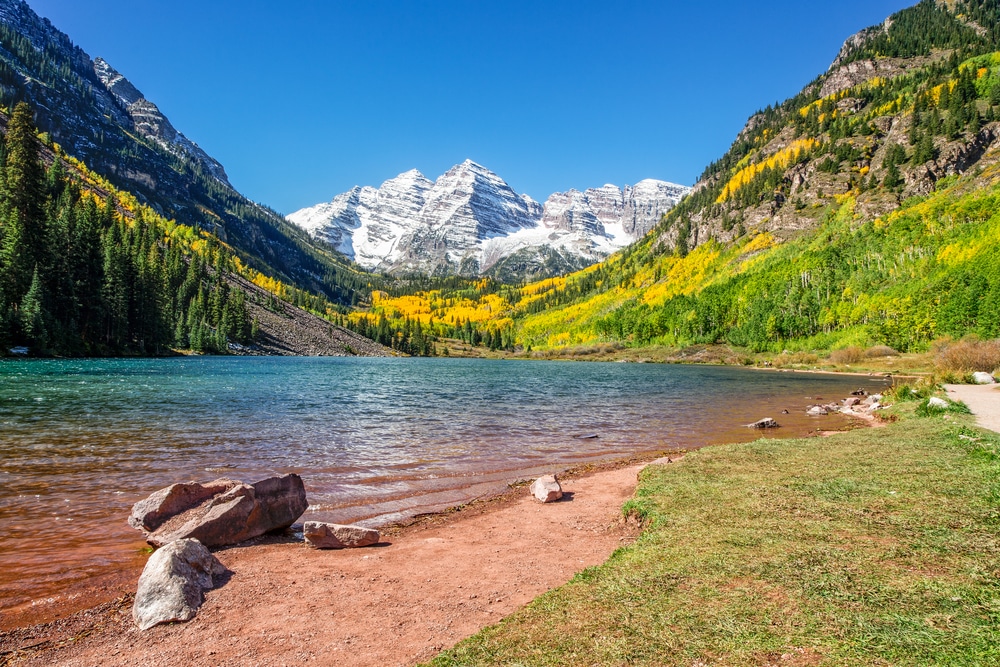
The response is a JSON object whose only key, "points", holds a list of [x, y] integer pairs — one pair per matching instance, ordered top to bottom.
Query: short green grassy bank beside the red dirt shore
{"points": [[873, 547]]}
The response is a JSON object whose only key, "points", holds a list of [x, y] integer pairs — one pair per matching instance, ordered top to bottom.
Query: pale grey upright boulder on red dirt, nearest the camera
{"points": [[172, 585]]}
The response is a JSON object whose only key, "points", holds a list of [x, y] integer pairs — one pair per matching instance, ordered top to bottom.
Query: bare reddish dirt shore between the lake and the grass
{"points": [[395, 604]]}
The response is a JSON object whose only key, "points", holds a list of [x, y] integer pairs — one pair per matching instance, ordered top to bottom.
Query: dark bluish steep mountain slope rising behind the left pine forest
{"points": [[100, 117]]}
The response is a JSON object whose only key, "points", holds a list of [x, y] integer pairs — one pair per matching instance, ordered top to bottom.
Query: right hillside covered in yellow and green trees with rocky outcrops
{"points": [[863, 211]]}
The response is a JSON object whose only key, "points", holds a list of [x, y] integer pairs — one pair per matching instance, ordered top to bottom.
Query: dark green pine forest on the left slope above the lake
{"points": [[88, 270]]}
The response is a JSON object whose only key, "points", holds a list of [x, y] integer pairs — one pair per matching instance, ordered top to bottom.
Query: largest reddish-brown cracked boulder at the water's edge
{"points": [[221, 512]]}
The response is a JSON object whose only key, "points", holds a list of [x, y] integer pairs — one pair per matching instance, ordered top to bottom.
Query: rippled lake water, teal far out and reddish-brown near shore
{"points": [[374, 439]]}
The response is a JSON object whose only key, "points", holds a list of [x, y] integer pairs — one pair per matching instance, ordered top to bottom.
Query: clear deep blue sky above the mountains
{"points": [[303, 99]]}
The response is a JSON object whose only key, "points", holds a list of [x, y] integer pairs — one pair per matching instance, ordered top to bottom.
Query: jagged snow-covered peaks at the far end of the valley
{"points": [[469, 221]]}
